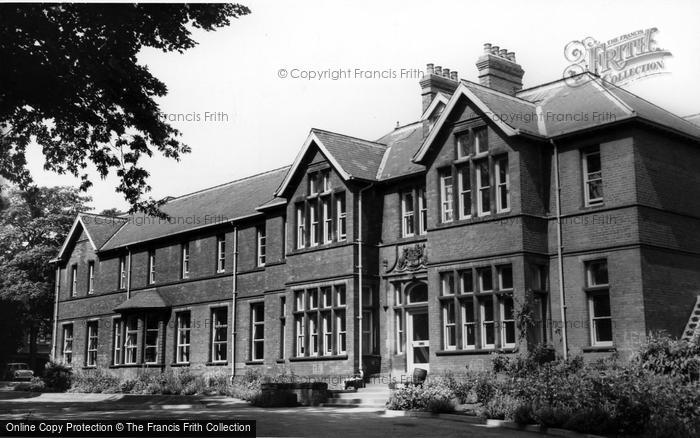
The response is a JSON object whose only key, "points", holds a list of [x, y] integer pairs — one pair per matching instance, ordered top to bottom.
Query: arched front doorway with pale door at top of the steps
{"points": [[417, 327]]}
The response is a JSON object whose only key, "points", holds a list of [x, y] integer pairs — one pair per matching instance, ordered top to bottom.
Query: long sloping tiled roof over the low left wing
{"points": [[227, 202]]}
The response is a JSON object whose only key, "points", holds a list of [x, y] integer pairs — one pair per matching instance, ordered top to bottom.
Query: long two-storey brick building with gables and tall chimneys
{"points": [[419, 249]]}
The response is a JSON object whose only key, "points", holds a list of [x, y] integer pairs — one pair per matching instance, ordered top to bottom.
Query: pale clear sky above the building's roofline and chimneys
{"points": [[244, 118]]}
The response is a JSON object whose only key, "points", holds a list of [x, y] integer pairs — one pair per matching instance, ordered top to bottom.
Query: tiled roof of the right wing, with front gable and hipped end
{"points": [[558, 108]]}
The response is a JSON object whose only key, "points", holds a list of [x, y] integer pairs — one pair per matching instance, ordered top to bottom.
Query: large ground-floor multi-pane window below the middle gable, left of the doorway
{"points": [[319, 321]]}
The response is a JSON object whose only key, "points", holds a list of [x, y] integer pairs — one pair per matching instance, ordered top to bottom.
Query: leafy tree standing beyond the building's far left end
{"points": [[33, 226]]}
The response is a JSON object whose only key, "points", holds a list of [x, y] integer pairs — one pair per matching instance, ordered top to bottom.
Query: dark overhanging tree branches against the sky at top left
{"points": [[70, 81]]}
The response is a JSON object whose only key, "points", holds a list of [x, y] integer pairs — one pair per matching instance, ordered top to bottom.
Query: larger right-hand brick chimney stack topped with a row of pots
{"points": [[499, 71]]}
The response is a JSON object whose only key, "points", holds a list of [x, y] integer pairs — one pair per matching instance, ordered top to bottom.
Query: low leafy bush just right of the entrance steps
{"points": [[431, 396]]}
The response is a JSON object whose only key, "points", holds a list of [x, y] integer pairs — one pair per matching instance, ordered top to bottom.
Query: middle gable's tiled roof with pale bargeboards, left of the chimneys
{"points": [[351, 157]]}
